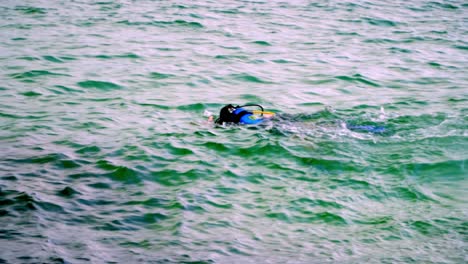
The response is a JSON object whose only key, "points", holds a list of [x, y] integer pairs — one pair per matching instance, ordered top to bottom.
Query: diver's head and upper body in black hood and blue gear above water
{"points": [[231, 114]]}
